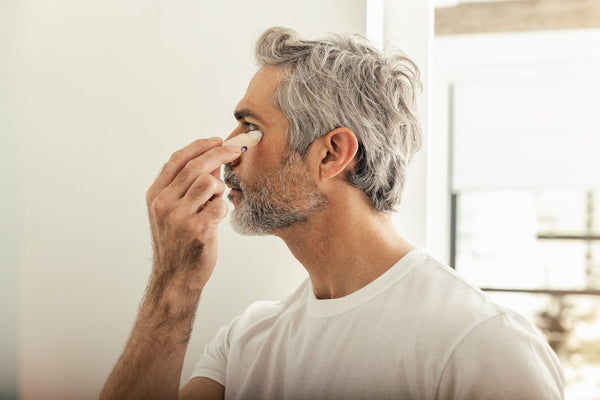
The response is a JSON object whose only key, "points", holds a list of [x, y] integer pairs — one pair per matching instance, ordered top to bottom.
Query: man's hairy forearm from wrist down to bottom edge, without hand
{"points": [[151, 364]]}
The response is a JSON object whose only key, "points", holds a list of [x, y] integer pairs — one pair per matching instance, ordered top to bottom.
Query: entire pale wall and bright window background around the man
{"points": [[95, 96]]}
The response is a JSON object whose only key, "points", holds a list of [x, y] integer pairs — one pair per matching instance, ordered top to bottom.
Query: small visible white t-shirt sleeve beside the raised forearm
{"points": [[213, 362]]}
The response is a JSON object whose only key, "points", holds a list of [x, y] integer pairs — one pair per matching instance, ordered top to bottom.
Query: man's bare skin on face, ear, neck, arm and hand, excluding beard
{"points": [[185, 207]]}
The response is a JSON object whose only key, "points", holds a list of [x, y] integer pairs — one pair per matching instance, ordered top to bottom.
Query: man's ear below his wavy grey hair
{"points": [[337, 152]]}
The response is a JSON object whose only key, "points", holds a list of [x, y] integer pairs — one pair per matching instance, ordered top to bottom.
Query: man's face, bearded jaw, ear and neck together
{"points": [[314, 188]]}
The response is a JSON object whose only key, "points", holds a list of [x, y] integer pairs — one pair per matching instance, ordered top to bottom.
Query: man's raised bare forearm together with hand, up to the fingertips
{"points": [[185, 206]]}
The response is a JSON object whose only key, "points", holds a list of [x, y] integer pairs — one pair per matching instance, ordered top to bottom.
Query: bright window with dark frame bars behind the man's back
{"points": [[516, 117]]}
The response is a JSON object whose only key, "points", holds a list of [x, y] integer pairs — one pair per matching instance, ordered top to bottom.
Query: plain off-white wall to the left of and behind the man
{"points": [[102, 93]]}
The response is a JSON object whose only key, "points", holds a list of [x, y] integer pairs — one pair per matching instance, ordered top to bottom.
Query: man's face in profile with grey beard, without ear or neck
{"points": [[272, 188]]}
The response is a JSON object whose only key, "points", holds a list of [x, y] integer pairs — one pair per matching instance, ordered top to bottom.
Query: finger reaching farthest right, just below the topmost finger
{"points": [[205, 164]]}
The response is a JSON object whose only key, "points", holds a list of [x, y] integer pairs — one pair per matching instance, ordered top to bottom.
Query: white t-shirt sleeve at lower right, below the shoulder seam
{"points": [[502, 358]]}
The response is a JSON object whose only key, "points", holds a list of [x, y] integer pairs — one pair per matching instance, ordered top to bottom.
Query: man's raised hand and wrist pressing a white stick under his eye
{"points": [[185, 206]]}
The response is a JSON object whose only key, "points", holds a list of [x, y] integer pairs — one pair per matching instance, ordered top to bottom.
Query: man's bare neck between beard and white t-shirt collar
{"points": [[345, 247]]}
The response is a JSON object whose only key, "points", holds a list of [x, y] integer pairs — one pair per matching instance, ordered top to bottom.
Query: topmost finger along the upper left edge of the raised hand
{"points": [[177, 161]]}
